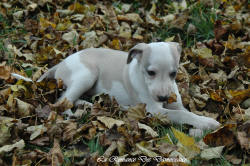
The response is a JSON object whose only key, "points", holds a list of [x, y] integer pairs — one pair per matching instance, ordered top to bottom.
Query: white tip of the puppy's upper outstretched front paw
{"points": [[203, 122]]}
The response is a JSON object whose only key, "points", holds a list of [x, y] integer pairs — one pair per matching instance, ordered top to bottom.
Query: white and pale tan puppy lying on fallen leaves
{"points": [[146, 74]]}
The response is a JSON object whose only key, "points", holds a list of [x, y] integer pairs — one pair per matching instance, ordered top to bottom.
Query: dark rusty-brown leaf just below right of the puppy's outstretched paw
{"points": [[224, 136]]}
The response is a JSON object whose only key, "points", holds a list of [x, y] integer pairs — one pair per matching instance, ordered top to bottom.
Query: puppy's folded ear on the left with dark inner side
{"points": [[136, 52]]}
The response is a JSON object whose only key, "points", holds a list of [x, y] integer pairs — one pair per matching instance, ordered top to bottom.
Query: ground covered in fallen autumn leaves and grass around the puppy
{"points": [[213, 80]]}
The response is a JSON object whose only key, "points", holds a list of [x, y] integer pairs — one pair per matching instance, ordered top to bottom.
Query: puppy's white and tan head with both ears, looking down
{"points": [[158, 62]]}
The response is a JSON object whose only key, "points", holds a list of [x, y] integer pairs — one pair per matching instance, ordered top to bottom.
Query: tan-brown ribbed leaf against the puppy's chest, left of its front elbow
{"points": [[137, 112]]}
